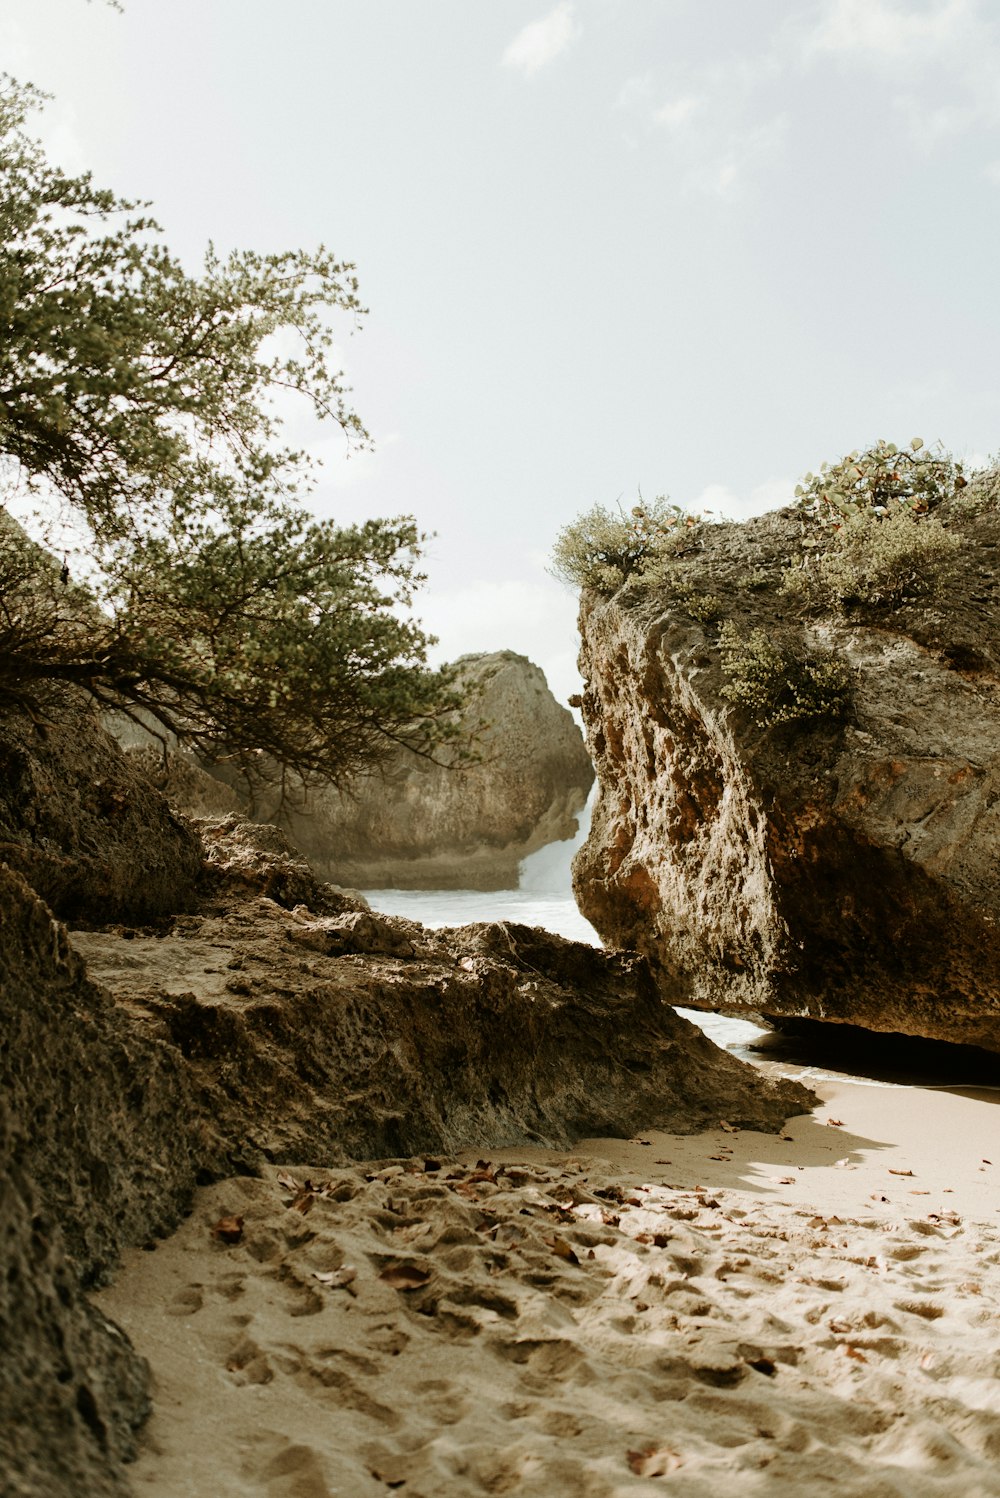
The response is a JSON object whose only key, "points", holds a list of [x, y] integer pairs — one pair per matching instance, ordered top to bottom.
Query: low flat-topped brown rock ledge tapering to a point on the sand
{"points": [[360, 1036]]}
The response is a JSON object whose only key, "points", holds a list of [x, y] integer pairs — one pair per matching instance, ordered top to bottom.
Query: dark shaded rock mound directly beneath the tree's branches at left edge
{"points": [[83, 825]]}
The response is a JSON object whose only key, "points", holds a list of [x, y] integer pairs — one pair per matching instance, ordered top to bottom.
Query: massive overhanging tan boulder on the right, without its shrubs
{"points": [[824, 871]]}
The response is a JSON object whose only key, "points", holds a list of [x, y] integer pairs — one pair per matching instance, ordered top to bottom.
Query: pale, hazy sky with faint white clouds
{"points": [[609, 249]]}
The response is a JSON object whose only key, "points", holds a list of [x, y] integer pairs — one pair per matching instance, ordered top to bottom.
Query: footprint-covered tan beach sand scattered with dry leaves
{"points": [[728, 1313]]}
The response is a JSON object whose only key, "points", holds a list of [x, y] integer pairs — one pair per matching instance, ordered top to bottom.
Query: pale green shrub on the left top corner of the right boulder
{"points": [[603, 551]]}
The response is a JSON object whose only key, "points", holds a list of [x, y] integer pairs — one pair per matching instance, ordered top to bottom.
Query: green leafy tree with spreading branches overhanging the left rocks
{"points": [[141, 399]]}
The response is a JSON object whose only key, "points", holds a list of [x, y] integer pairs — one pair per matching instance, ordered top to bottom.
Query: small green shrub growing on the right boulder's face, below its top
{"points": [[779, 684]]}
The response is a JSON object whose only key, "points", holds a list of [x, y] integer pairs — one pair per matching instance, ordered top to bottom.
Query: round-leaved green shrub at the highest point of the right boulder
{"points": [[879, 480]]}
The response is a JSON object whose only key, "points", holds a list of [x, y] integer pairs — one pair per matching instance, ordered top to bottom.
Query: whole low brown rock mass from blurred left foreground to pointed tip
{"points": [[282, 1021]]}
